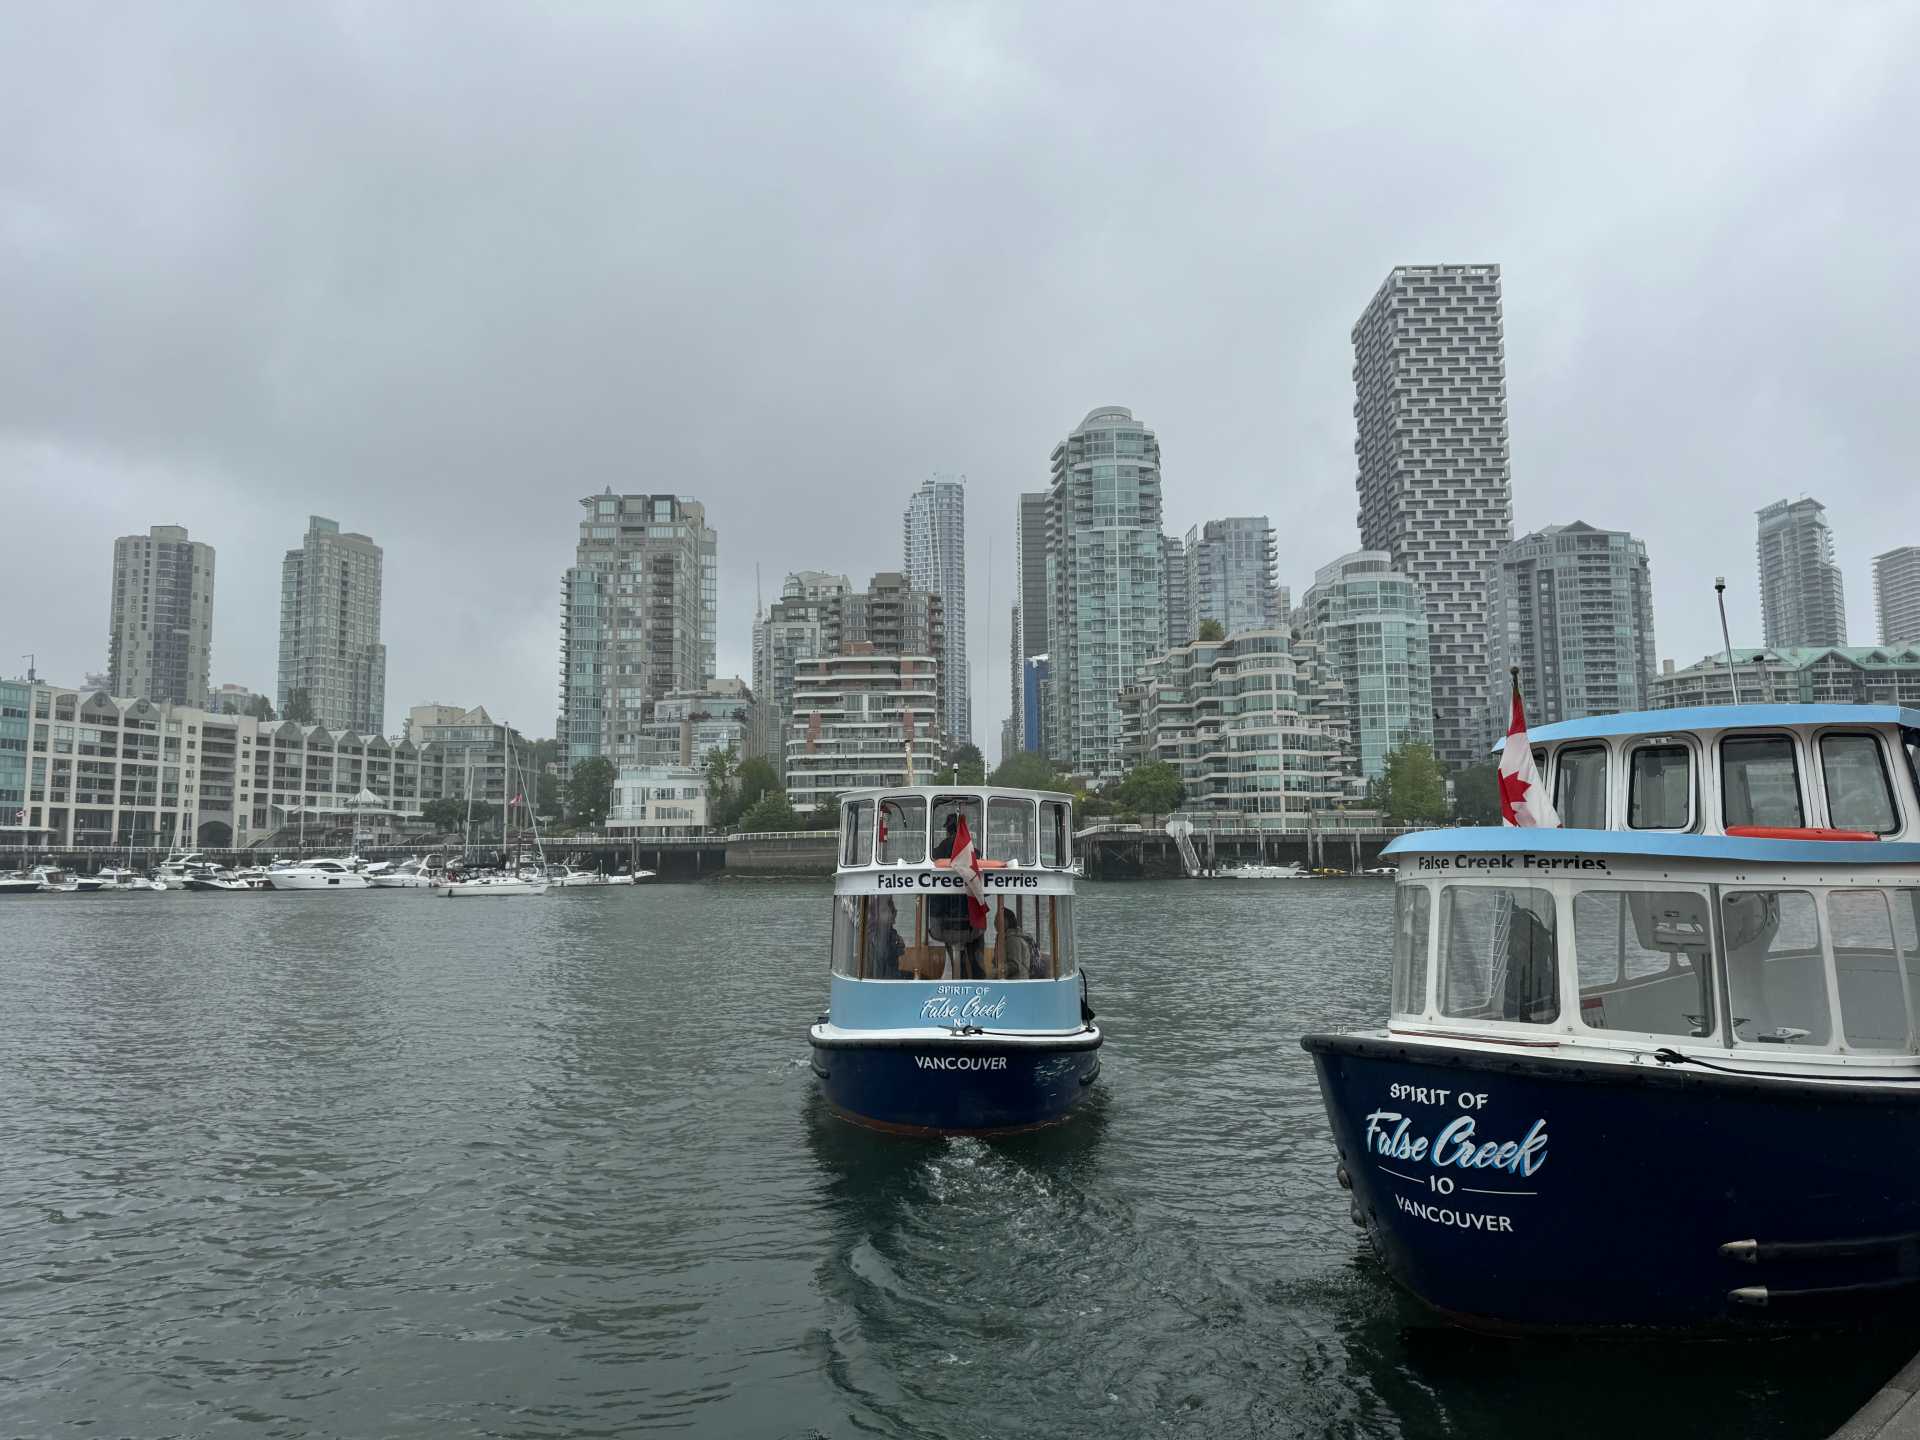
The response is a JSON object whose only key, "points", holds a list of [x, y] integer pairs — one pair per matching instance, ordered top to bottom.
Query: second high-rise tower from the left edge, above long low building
{"points": [[331, 629]]}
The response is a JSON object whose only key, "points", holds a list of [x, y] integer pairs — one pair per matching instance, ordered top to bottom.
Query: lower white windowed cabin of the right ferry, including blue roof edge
{"points": [[1788, 949]]}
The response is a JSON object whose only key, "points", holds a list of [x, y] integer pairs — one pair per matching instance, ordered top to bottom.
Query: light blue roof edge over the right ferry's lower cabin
{"points": [[1654, 846]]}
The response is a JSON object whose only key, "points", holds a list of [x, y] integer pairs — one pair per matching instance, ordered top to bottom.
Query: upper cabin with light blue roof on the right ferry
{"points": [[1727, 769]]}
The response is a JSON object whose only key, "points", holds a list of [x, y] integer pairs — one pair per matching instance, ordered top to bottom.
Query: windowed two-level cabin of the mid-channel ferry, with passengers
{"points": [[903, 911]]}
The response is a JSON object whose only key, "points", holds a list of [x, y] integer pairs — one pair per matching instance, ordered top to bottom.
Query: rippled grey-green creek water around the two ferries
{"points": [[377, 1164]]}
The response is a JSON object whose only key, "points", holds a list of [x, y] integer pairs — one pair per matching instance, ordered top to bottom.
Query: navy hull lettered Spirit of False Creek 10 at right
{"points": [[1524, 1193]]}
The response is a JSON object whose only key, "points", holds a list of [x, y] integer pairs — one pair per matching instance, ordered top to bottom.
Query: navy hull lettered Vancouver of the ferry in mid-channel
{"points": [[940, 1088]]}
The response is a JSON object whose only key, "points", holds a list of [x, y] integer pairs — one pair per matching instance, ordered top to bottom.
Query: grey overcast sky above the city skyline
{"points": [[437, 272]]}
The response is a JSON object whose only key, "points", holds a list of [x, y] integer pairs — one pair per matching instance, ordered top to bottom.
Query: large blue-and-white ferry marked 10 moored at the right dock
{"points": [[1660, 1068]]}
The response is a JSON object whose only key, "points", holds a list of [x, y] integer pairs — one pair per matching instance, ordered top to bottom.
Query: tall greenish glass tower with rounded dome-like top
{"points": [[1107, 581]]}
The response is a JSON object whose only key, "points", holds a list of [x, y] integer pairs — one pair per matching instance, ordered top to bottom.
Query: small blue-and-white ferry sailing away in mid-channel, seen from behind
{"points": [[957, 1005]]}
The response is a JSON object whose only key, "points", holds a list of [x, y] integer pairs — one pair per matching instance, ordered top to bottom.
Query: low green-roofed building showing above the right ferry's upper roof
{"points": [[1796, 675]]}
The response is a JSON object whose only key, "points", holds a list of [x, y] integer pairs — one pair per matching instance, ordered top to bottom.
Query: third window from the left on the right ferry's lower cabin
{"points": [[1644, 961]]}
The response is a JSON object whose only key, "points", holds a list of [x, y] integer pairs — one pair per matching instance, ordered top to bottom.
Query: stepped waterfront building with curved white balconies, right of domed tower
{"points": [[1255, 725]]}
